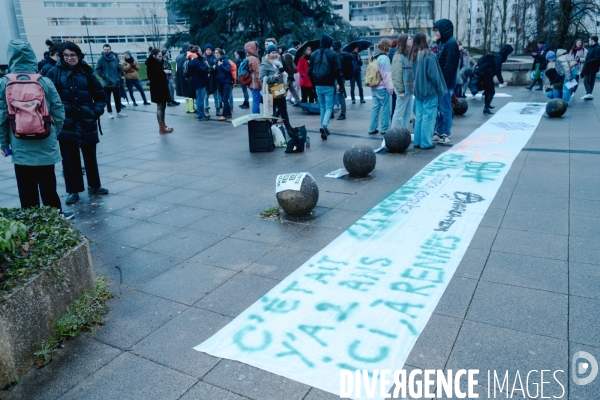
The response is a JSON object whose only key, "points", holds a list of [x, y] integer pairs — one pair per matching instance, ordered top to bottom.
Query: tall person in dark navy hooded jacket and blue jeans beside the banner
{"points": [[448, 57]]}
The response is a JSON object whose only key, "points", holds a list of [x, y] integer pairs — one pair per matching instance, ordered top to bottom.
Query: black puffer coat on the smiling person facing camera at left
{"points": [[84, 100]]}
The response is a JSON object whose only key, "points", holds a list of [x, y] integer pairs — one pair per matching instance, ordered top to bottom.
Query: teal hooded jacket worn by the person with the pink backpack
{"points": [[21, 58]]}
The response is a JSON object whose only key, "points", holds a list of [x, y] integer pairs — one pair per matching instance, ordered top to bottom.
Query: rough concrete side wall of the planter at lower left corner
{"points": [[27, 312]]}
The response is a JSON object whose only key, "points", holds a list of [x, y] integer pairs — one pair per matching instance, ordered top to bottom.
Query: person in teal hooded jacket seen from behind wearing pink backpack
{"points": [[31, 114]]}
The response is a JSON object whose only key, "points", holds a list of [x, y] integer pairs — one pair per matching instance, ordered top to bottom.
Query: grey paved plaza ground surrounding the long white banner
{"points": [[182, 223]]}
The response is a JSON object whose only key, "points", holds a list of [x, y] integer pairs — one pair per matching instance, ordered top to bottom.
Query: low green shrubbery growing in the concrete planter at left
{"points": [[31, 240]]}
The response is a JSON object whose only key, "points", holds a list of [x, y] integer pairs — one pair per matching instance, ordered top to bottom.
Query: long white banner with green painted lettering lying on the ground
{"points": [[362, 301]]}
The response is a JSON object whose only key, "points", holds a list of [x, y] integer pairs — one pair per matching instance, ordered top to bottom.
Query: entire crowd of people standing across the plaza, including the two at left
{"points": [[412, 80]]}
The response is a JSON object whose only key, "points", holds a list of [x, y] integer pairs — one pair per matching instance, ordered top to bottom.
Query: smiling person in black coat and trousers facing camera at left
{"points": [[84, 100]]}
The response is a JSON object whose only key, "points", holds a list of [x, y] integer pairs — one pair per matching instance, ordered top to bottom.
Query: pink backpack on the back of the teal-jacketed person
{"points": [[28, 115]]}
